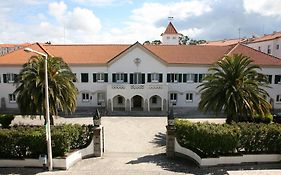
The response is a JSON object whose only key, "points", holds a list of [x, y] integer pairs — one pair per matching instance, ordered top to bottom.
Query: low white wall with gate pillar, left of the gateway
{"points": [[94, 149]]}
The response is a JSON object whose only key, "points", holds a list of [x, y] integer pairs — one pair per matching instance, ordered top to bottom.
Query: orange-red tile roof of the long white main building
{"points": [[171, 54]]}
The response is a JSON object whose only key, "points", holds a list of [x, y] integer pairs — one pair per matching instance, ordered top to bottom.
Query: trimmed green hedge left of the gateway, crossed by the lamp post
{"points": [[30, 141]]}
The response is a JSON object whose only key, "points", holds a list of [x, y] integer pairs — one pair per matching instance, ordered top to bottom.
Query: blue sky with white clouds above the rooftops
{"points": [[128, 21]]}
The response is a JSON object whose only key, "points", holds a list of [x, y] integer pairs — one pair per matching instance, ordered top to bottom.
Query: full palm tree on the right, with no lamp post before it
{"points": [[235, 87]]}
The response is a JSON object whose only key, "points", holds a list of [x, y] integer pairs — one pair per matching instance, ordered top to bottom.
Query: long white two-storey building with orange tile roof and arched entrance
{"points": [[137, 77]]}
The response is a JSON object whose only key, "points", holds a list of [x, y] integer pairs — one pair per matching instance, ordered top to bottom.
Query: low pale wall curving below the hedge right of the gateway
{"points": [[249, 158]]}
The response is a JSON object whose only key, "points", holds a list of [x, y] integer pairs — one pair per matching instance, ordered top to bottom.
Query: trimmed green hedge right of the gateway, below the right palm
{"points": [[212, 140]]}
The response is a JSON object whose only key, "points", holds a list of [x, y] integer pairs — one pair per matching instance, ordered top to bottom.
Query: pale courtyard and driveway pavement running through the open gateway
{"points": [[136, 145]]}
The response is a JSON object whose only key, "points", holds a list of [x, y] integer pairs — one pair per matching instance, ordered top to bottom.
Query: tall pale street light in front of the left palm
{"points": [[48, 128]]}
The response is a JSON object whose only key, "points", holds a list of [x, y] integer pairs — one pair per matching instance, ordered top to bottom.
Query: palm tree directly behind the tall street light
{"points": [[30, 91]]}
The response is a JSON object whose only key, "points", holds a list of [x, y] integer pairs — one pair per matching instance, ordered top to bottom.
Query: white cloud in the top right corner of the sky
{"points": [[263, 7]]}
